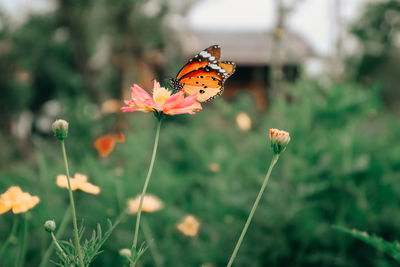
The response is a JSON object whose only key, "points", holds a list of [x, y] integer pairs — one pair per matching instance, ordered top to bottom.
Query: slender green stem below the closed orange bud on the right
{"points": [[253, 209]]}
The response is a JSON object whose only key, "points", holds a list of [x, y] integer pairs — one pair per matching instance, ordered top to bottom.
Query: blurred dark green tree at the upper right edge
{"points": [[378, 32]]}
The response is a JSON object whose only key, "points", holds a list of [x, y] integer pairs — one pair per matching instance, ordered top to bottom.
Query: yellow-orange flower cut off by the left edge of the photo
{"points": [[17, 200]]}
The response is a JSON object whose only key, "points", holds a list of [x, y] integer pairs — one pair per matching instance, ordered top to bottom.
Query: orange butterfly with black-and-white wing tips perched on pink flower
{"points": [[204, 75]]}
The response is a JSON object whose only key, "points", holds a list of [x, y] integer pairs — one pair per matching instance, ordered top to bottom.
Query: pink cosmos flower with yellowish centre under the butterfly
{"points": [[162, 101]]}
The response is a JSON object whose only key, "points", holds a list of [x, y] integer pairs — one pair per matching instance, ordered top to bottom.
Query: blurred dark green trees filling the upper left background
{"points": [[82, 47]]}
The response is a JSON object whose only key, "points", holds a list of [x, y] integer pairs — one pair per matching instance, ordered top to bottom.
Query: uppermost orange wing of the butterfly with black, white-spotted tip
{"points": [[202, 59]]}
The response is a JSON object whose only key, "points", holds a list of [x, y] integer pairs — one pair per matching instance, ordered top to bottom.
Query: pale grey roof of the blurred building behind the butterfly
{"points": [[249, 48]]}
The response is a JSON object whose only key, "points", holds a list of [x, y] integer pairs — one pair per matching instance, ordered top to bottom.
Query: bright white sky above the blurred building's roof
{"points": [[312, 19]]}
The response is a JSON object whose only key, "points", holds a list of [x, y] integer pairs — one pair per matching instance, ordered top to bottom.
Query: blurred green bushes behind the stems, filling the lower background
{"points": [[341, 167]]}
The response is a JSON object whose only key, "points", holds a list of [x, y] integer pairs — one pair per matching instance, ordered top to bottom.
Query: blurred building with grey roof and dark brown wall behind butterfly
{"points": [[253, 52]]}
